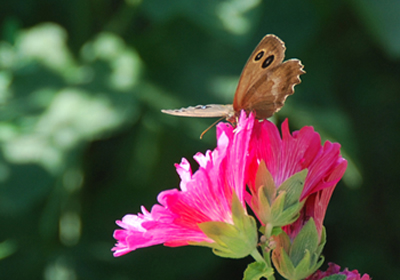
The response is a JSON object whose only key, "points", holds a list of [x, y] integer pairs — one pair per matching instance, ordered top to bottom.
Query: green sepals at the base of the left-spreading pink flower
{"points": [[231, 241]]}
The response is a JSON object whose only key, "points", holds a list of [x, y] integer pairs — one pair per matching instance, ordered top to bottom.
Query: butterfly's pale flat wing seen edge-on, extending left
{"points": [[203, 111]]}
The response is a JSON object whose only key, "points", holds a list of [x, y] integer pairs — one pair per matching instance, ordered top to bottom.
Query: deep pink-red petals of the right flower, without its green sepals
{"points": [[284, 156]]}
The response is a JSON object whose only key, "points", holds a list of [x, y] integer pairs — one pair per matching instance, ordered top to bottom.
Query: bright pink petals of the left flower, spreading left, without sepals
{"points": [[205, 196]]}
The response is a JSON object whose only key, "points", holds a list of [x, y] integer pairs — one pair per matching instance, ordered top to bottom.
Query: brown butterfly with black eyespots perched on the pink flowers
{"points": [[263, 87]]}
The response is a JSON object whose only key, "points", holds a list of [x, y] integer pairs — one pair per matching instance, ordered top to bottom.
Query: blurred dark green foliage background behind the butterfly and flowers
{"points": [[83, 141]]}
